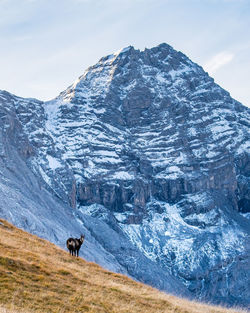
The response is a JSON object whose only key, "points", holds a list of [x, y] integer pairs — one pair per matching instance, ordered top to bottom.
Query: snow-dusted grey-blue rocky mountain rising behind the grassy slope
{"points": [[149, 157]]}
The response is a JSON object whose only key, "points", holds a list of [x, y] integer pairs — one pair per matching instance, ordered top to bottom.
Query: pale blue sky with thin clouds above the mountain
{"points": [[45, 45]]}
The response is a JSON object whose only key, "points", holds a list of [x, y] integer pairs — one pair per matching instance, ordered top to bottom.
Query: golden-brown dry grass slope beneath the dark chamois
{"points": [[37, 276]]}
